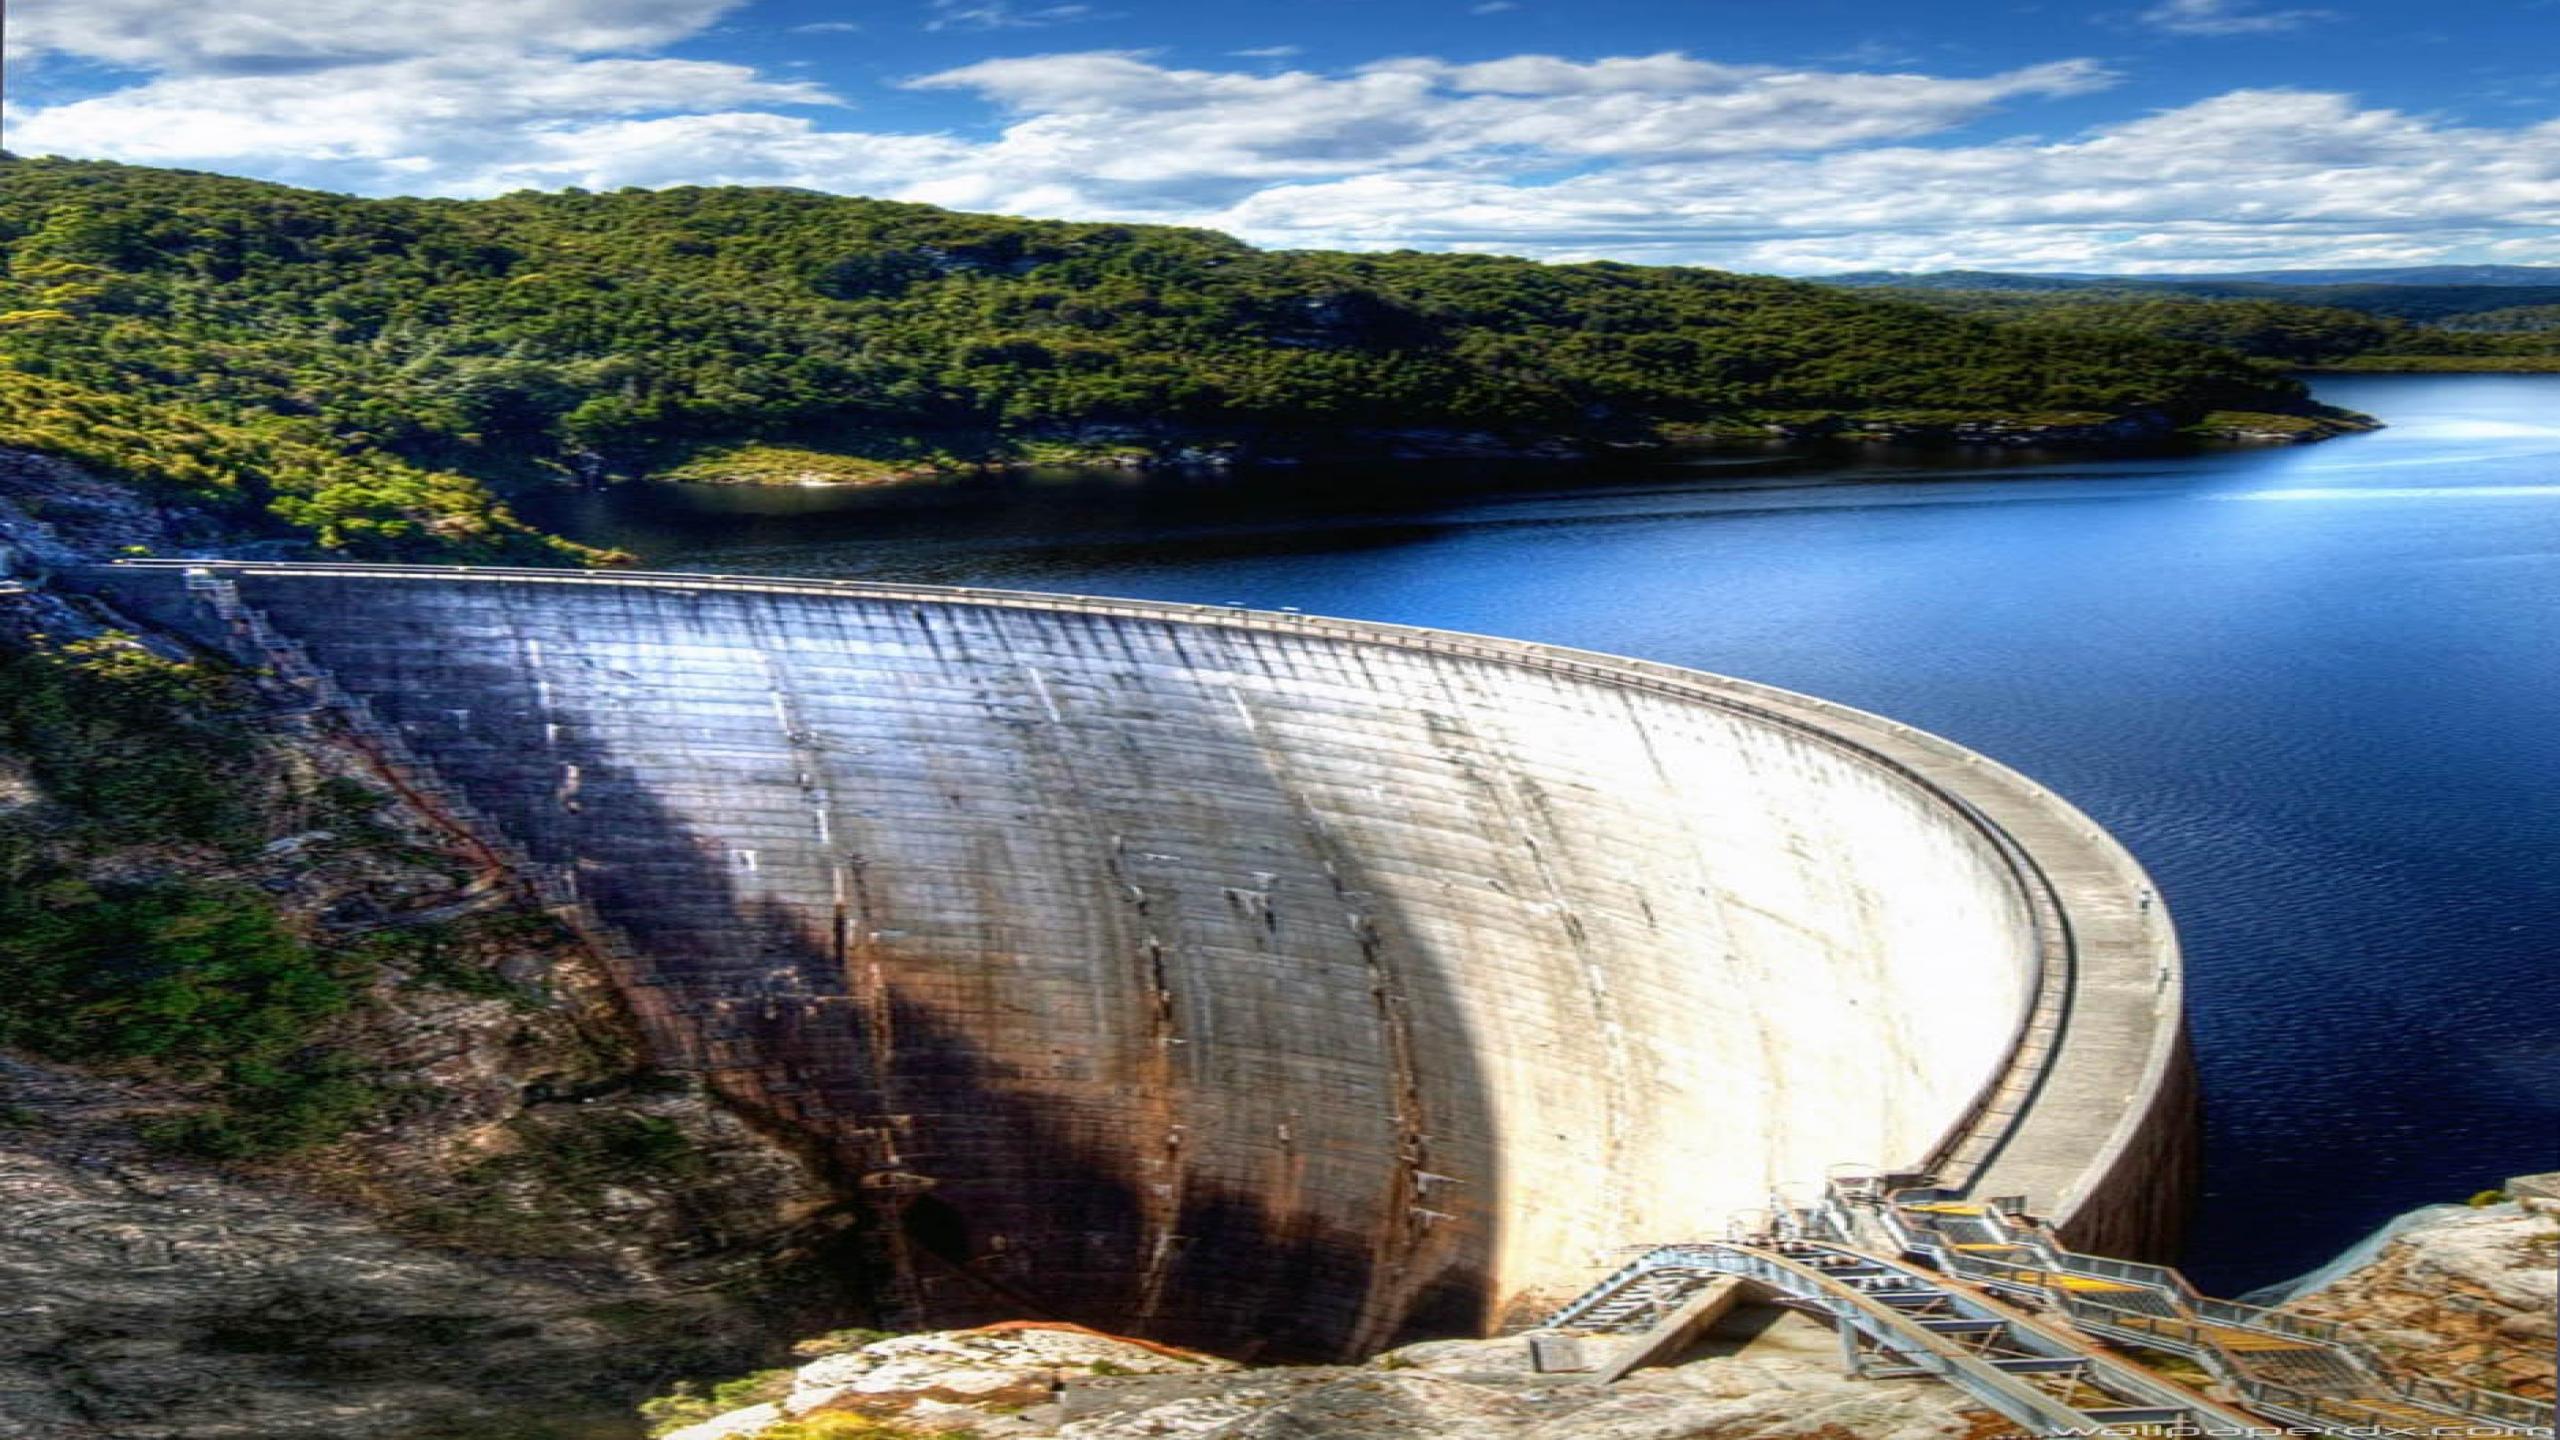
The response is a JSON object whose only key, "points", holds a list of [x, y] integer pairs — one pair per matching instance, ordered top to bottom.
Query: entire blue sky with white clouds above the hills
{"points": [[1796, 137]]}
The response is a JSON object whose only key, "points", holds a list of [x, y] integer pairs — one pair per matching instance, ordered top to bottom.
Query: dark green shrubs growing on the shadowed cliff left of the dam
{"points": [[183, 978]]}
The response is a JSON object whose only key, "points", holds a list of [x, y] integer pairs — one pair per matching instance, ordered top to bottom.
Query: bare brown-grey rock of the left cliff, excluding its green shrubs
{"points": [[534, 1229]]}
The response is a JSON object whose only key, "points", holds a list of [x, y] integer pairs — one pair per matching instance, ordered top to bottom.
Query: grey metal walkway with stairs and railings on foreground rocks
{"points": [[2026, 1326]]}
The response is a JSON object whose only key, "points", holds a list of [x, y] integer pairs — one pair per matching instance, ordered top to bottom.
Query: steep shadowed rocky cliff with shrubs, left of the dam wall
{"points": [[485, 1218]]}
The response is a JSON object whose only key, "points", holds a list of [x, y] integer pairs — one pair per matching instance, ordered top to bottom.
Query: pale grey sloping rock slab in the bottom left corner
{"points": [[163, 1300]]}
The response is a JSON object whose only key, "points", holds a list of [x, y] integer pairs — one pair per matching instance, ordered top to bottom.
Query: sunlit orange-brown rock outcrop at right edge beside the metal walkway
{"points": [[2461, 1298]]}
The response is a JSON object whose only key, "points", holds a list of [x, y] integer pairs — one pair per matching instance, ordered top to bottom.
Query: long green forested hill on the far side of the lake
{"points": [[365, 370]]}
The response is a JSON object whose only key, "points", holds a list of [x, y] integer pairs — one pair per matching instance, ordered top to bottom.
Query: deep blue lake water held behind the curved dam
{"points": [[2318, 691]]}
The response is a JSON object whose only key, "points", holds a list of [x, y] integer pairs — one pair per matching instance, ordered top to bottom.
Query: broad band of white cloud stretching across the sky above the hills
{"points": [[1658, 158]]}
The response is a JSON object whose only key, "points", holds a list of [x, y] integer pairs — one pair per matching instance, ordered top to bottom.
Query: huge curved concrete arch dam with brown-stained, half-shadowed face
{"points": [[1256, 980]]}
